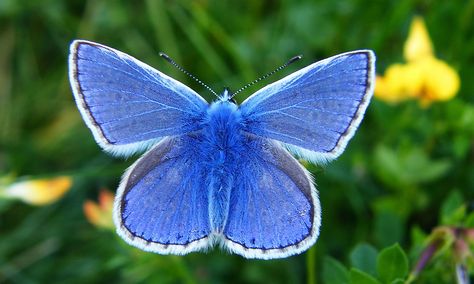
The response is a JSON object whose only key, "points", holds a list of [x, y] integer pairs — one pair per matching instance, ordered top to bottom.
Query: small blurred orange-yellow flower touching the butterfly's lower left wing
{"points": [[100, 214]]}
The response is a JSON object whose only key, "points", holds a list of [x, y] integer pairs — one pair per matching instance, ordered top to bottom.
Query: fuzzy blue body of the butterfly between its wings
{"points": [[222, 147]]}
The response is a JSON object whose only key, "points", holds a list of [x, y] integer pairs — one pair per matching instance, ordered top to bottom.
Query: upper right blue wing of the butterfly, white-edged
{"points": [[316, 110]]}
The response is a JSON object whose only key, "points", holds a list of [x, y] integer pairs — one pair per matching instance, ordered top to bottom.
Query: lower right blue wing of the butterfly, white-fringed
{"points": [[274, 208]]}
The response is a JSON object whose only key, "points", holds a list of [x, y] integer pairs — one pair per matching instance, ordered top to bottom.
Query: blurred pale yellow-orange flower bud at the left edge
{"points": [[39, 191]]}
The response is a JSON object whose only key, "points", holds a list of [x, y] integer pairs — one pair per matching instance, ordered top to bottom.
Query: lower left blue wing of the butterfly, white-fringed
{"points": [[160, 204]]}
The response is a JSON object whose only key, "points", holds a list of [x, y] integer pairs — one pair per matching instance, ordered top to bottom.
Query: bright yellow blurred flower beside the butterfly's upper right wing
{"points": [[423, 76]]}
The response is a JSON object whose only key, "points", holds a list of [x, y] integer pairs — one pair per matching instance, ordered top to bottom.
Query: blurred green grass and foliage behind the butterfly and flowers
{"points": [[407, 171]]}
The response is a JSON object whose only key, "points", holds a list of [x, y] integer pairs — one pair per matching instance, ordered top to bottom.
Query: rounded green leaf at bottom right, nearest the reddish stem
{"points": [[392, 263]]}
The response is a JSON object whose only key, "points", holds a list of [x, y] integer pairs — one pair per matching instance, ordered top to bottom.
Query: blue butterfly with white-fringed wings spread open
{"points": [[220, 173]]}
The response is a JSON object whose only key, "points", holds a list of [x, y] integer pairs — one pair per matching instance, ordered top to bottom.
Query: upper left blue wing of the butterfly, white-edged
{"points": [[127, 104]]}
